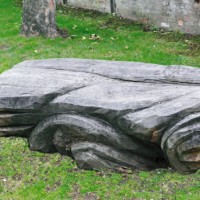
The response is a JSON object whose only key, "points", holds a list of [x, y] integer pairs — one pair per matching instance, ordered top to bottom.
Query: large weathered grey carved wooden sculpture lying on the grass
{"points": [[105, 114]]}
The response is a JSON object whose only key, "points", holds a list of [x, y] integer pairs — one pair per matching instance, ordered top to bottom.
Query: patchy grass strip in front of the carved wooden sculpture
{"points": [[32, 176]]}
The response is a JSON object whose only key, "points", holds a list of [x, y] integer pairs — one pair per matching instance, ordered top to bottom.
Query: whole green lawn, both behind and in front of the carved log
{"points": [[36, 176]]}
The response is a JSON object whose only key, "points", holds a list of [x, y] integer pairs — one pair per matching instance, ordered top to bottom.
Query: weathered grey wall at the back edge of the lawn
{"points": [[182, 15]]}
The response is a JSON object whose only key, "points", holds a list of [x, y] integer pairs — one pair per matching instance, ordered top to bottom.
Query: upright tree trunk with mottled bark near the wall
{"points": [[39, 18]]}
